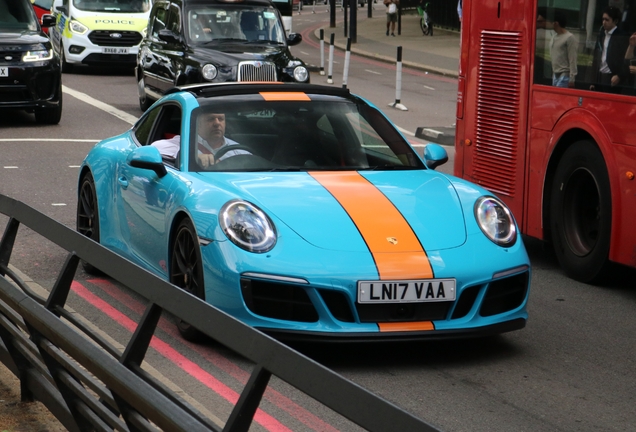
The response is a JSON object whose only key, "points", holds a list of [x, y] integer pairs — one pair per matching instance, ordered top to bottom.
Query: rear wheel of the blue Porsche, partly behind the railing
{"points": [[87, 219]]}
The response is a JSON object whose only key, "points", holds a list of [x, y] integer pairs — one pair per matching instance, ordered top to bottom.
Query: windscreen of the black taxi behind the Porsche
{"points": [[222, 22]]}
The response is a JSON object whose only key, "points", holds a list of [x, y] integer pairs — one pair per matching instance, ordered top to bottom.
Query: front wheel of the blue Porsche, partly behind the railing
{"points": [[186, 271]]}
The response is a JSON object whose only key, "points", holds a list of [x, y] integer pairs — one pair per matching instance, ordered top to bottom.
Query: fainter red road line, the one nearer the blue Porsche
{"points": [[283, 402]]}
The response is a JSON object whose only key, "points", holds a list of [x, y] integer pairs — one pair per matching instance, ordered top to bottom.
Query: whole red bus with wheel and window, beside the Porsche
{"points": [[546, 120]]}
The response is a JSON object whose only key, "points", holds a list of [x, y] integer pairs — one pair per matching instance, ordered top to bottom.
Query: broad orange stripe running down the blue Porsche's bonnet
{"points": [[396, 250]]}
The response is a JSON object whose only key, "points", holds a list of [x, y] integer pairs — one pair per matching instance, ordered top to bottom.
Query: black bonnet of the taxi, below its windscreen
{"points": [[230, 53]]}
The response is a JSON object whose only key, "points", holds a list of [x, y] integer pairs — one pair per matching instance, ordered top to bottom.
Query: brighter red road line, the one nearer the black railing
{"points": [[264, 419]]}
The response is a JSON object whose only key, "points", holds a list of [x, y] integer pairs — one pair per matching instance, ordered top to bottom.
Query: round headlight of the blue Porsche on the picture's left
{"points": [[247, 226]]}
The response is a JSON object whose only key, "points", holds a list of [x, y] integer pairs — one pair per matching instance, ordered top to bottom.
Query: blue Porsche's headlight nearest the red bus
{"points": [[496, 221]]}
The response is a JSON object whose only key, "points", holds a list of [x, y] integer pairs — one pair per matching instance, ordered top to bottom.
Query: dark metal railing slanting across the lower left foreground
{"points": [[89, 385]]}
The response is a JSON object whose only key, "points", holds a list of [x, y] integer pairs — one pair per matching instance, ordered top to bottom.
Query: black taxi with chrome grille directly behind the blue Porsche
{"points": [[197, 41]]}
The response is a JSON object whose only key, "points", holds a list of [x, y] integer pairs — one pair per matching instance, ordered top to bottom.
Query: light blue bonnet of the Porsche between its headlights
{"points": [[426, 200]]}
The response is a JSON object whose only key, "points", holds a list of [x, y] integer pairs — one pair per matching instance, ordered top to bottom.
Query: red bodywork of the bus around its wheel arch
{"points": [[524, 137]]}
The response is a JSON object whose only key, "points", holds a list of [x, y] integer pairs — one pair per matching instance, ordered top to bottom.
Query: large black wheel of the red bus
{"points": [[581, 213]]}
